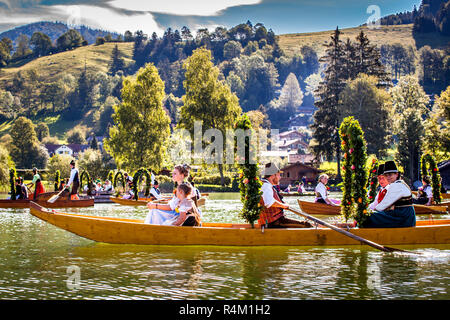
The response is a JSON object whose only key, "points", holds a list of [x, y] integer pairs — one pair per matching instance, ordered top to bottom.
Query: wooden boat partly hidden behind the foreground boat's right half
{"points": [[327, 210]]}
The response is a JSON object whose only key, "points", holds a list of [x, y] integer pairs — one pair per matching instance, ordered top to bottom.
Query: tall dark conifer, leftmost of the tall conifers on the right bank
{"points": [[326, 118]]}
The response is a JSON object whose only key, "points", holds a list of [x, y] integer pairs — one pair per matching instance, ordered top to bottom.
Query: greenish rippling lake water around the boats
{"points": [[39, 261]]}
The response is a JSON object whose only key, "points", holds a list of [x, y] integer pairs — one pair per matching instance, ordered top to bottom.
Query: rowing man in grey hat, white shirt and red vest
{"points": [[272, 214]]}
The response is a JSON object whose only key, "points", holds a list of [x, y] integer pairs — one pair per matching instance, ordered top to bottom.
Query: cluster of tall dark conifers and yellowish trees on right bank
{"points": [[357, 83]]}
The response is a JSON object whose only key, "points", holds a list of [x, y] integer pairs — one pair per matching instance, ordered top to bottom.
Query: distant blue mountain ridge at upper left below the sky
{"points": [[54, 30]]}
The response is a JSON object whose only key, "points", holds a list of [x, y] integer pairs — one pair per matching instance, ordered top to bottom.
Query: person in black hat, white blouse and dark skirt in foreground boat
{"points": [[396, 209]]}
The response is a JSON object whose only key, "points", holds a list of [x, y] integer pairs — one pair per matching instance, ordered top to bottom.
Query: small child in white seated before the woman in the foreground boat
{"points": [[180, 211]]}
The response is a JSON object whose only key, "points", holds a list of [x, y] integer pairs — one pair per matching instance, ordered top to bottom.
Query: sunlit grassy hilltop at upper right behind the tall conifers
{"points": [[403, 34]]}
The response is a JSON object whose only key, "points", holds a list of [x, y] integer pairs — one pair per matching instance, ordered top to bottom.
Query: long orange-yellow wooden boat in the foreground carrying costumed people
{"points": [[133, 231]]}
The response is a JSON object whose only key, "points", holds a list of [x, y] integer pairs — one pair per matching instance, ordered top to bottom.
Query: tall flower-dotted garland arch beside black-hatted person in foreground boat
{"points": [[355, 201]]}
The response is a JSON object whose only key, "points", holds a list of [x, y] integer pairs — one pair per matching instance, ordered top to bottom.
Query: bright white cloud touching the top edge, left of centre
{"points": [[182, 7]]}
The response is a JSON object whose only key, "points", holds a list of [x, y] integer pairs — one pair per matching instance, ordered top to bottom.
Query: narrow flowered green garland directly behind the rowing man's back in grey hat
{"points": [[249, 183]]}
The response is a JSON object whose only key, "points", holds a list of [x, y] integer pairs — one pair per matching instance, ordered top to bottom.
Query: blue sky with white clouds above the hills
{"points": [[282, 16]]}
